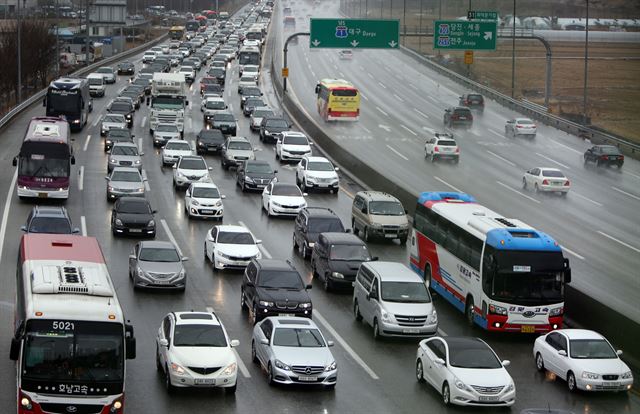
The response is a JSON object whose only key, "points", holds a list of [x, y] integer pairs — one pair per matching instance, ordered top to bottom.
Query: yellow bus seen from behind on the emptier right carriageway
{"points": [[338, 100]]}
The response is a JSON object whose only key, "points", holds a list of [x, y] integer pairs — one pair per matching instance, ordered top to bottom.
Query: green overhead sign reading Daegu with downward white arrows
{"points": [[354, 33]]}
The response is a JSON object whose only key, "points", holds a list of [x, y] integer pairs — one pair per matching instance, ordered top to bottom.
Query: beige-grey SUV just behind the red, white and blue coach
{"points": [[379, 215]]}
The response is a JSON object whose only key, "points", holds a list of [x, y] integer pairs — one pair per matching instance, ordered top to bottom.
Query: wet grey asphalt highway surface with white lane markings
{"points": [[374, 376]]}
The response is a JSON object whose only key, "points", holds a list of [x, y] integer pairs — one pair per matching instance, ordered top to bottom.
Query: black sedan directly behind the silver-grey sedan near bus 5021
{"points": [[133, 216]]}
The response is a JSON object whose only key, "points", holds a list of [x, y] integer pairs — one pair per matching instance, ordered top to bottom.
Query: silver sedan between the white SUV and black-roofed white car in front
{"points": [[293, 351]]}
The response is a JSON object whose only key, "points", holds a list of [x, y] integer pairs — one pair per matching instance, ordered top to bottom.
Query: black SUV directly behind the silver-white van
{"points": [[336, 258]]}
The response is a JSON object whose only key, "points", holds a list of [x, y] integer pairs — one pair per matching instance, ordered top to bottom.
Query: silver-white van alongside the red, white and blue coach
{"points": [[394, 300]]}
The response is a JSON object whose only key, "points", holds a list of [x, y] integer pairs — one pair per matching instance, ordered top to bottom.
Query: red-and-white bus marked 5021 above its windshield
{"points": [[71, 340]]}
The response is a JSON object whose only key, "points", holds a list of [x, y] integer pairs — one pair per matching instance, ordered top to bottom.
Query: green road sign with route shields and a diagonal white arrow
{"points": [[461, 35]]}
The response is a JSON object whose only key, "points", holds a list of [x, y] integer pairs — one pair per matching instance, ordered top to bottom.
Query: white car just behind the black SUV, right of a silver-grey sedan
{"points": [[230, 247]]}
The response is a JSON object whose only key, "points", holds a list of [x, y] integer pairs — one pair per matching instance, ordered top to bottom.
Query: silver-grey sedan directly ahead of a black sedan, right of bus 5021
{"points": [[157, 264]]}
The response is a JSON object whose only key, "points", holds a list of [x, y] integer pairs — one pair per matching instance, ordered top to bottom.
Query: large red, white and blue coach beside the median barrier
{"points": [[502, 273]]}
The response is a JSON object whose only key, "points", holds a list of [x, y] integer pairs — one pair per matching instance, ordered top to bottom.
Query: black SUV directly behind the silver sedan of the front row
{"points": [[272, 287]]}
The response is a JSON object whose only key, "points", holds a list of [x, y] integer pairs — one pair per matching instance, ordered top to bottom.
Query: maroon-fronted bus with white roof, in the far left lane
{"points": [[45, 159]]}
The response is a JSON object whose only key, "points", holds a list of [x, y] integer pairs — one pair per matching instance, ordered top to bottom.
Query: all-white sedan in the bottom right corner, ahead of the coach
{"points": [[583, 358]]}
